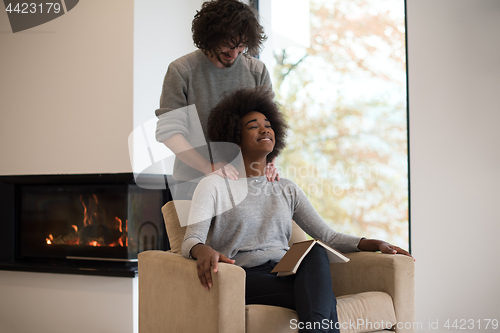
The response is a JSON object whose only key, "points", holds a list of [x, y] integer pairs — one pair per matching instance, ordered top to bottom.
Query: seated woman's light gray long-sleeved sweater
{"points": [[250, 219]]}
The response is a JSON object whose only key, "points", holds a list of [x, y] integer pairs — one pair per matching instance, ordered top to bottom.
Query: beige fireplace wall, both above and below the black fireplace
{"points": [[66, 107]]}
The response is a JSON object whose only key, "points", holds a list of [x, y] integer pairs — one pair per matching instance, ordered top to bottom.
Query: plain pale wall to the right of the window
{"points": [[454, 84]]}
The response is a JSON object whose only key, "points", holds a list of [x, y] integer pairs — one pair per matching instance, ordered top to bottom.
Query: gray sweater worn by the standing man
{"points": [[192, 87]]}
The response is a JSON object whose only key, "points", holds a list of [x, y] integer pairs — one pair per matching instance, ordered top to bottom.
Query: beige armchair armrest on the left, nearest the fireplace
{"points": [[171, 298]]}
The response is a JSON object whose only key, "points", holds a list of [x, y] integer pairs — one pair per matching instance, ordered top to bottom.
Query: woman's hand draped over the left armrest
{"points": [[206, 258]]}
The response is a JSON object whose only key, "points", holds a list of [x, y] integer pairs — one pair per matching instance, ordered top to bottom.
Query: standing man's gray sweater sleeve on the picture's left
{"points": [[172, 114]]}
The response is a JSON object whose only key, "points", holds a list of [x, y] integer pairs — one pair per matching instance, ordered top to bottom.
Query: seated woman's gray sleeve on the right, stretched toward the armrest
{"points": [[311, 222]]}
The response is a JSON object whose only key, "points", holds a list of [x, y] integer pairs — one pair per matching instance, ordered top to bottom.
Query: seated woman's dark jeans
{"points": [[309, 292]]}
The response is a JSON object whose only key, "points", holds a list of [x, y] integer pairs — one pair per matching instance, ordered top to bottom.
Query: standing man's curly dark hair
{"points": [[227, 21]]}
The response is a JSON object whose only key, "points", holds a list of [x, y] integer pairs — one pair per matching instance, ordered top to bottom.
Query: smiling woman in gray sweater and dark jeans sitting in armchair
{"points": [[253, 232]]}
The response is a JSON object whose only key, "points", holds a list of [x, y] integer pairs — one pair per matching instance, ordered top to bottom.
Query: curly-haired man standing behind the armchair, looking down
{"points": [[227, 34]]}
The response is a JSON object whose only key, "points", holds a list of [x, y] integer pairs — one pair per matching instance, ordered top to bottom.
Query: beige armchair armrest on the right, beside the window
{"points": [[390, 273]]}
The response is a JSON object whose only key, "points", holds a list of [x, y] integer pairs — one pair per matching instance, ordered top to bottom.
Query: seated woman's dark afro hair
{"points": [[224, 121]]}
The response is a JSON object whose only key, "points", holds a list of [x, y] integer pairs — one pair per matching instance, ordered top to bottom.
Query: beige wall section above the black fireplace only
{"points": [[66, 92]]}
